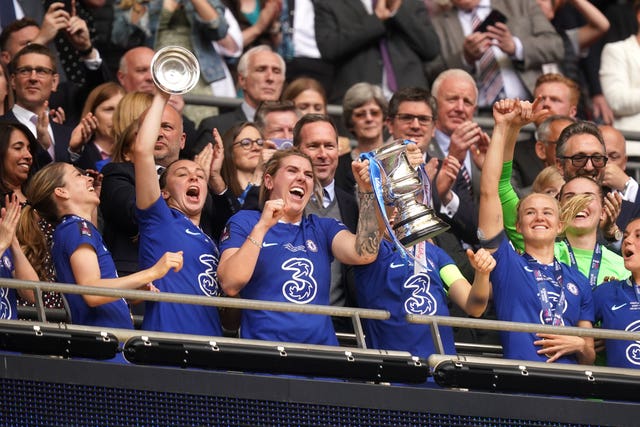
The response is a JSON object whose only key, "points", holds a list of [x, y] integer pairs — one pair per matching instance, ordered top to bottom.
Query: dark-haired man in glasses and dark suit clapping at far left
{"points": [[33, 77]]}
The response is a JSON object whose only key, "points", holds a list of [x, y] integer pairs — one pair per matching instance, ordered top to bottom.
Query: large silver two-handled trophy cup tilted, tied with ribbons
{"points": [[402, 186]]}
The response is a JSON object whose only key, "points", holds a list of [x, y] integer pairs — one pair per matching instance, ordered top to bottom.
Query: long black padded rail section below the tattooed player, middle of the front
{"points": [[278, 359]]}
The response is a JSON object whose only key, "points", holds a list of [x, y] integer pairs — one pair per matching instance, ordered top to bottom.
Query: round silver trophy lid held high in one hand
{"points": [[175, 70]]}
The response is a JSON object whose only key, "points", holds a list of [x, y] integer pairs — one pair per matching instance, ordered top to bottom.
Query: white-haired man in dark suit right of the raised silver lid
{"points": [[261, 74]]}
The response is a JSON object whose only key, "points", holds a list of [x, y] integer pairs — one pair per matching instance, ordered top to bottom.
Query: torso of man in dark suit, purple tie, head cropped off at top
{"points": [[385, 44]]}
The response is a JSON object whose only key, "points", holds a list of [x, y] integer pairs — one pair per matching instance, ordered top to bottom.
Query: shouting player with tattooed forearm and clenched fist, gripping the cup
{"points": [[282, 255]]}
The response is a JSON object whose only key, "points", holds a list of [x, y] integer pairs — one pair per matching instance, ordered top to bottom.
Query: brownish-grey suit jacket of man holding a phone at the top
{"points": [[540, 41]]}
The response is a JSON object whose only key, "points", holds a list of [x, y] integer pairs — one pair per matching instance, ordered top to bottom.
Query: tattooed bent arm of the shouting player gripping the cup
{"points": [[362, 247]]}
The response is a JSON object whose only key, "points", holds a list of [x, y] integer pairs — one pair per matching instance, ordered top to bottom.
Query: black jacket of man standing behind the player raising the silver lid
{"points": [[118, 208]]}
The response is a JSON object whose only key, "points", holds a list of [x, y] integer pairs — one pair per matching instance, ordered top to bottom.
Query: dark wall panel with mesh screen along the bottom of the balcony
{"points": [[45, 391]]}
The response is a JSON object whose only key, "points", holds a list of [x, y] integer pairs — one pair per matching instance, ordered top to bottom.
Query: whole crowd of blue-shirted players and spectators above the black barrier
{"points": [[273, 200]]}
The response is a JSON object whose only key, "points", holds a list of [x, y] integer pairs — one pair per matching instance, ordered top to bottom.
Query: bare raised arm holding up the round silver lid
{"points": [[147, 186]]}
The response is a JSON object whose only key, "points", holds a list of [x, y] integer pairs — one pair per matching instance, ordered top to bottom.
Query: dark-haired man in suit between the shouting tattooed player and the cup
{"points": [[317, 136]]}
